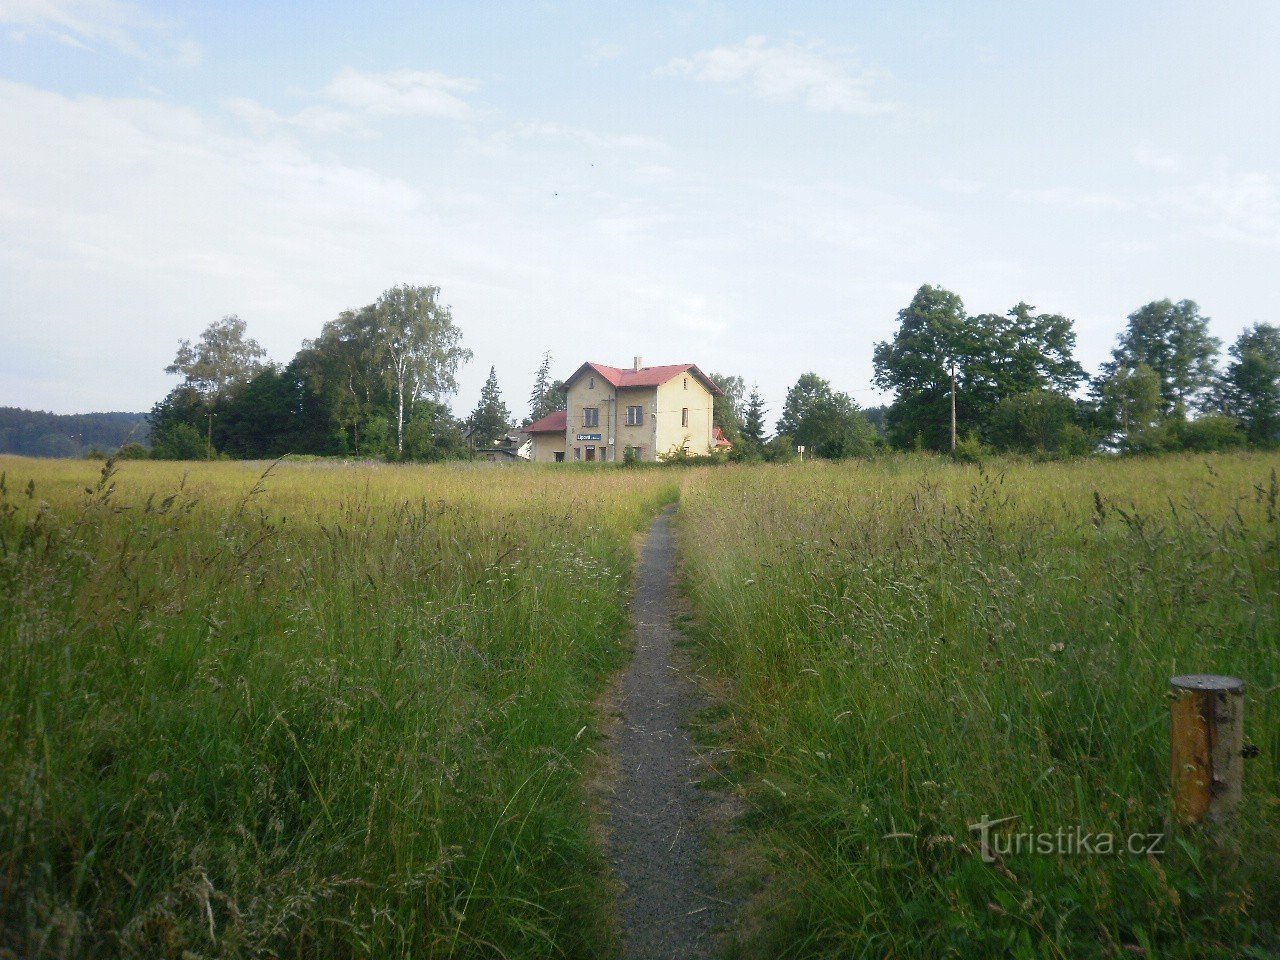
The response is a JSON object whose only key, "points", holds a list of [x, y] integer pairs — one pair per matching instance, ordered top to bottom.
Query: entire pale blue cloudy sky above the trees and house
{"points": [[753, 188]]}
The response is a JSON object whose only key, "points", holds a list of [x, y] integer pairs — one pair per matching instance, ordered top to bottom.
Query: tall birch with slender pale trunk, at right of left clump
{"points": [[422, 349]]}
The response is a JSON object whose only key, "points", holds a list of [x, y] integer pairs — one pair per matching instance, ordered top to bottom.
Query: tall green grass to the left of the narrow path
{"points": [[313, 714]]}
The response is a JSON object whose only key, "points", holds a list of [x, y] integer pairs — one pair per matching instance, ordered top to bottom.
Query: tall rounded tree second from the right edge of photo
{"points": [[1173, 341]]}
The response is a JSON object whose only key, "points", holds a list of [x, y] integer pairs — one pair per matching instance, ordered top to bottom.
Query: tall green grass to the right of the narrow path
{"points": [[913, 644]]}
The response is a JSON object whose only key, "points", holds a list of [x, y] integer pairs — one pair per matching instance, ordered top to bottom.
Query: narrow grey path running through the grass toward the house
{"points": [[657, 813]]}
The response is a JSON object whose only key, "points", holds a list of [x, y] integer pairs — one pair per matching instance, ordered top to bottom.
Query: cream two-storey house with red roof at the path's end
{"points": [[652, 412]]}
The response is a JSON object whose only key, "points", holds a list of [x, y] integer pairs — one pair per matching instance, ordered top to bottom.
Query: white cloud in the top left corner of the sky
{"points": [[89, 25]]}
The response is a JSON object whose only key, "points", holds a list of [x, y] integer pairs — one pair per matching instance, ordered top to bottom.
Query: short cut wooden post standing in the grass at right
{"points": [[1208, 740]]}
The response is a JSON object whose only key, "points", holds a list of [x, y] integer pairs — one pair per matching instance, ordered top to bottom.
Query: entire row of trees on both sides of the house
{"points": [[377, 381]]}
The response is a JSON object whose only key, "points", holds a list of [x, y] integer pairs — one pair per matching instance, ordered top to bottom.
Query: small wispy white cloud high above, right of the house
{"points": [[785, 74]]}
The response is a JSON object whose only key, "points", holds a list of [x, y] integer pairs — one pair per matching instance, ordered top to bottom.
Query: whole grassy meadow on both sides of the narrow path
{"points": [[350, 711]]}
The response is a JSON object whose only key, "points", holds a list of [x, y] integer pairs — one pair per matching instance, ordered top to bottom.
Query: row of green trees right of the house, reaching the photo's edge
{"points": [[1016, 386]]}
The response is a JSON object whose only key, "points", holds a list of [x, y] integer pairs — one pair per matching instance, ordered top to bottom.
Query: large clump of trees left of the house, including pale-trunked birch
{"points": [[373, 385]]}
